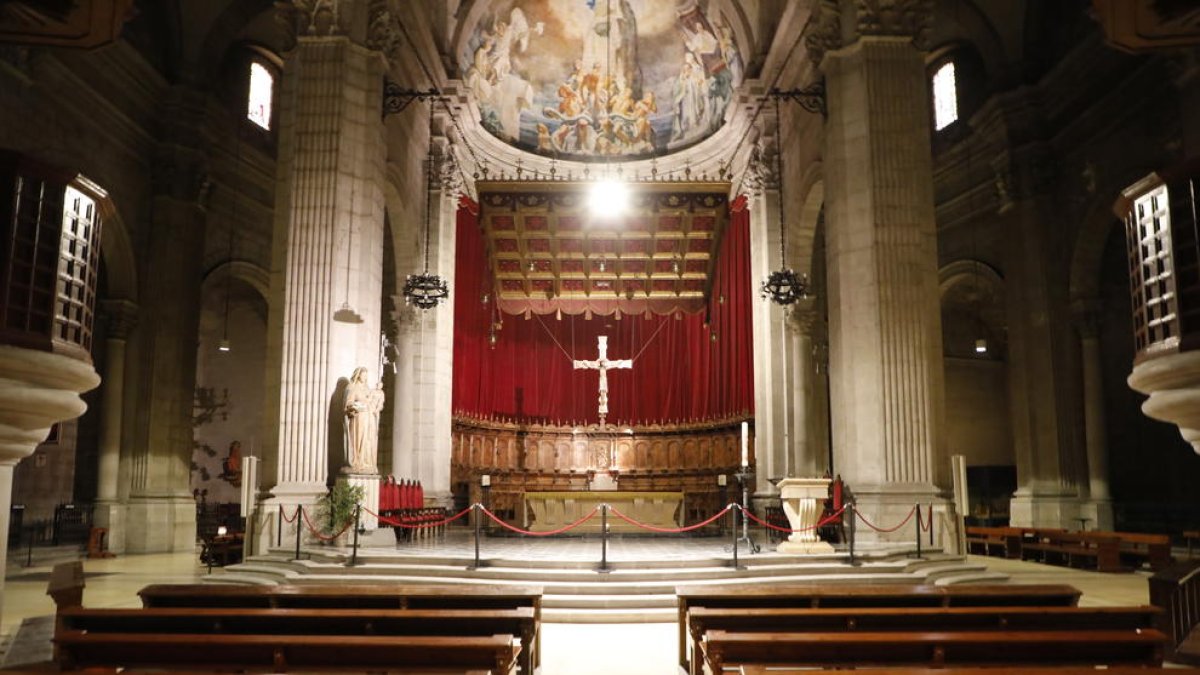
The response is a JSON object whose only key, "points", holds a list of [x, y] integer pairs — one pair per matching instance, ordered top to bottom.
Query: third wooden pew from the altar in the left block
{"points": [[278, 654]]}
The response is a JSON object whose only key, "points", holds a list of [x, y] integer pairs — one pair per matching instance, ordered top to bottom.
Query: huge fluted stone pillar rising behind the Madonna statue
{"points": [[328, 247]]}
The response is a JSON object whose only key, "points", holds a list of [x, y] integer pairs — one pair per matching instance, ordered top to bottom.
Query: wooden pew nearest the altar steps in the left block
{"points": [[357, 598]]}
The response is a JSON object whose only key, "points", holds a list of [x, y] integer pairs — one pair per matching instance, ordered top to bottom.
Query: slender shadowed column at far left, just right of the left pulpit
{"points": [[110, 513]]}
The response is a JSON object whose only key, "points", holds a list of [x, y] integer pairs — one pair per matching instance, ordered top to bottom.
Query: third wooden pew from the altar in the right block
{"points": [[933, 649]]}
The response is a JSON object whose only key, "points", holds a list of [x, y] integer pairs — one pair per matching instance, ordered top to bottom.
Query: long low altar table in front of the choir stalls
{"points": [[544, 512]]}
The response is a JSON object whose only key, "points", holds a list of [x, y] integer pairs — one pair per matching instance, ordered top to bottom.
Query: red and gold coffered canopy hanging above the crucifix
{"points": [[549, 254]]}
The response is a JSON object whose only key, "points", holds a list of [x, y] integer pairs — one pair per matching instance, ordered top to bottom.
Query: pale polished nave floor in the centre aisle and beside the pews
{"points": [[643, 649]]}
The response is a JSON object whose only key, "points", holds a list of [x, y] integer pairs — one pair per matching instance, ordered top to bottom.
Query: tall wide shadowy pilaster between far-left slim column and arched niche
{"points": [[161, 513]]}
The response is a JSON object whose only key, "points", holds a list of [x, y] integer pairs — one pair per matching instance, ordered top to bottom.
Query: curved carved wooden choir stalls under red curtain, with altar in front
{"points": [[545, 477]]}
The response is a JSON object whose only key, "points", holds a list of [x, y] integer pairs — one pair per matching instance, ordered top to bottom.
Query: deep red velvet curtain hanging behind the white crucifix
{"points": [[680, 372]]}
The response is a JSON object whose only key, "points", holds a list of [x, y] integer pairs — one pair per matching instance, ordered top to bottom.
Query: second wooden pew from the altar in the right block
{"points": [[770, 620]]}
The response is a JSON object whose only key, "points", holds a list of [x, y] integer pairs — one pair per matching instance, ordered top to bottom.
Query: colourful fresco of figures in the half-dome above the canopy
{"points": [[590, 80]]}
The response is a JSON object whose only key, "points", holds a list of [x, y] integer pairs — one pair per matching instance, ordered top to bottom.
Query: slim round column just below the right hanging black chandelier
{"points": [[808, 458]]}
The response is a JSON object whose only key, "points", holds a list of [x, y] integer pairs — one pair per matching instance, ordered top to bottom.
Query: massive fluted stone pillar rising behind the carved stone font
{"points": [[885, 325]]}
